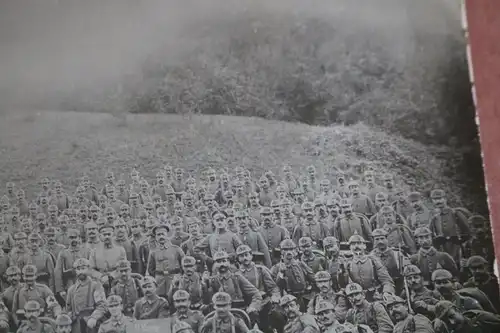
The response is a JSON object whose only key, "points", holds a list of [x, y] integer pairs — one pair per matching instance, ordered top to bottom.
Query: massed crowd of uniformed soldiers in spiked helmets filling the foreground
{"points": [[226, 252]]}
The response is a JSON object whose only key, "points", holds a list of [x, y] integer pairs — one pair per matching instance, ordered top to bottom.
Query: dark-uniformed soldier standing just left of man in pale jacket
{"points": [[64, 273]]}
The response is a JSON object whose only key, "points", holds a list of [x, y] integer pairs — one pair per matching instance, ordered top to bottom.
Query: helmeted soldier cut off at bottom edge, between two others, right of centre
{"points": [[404, 321]]}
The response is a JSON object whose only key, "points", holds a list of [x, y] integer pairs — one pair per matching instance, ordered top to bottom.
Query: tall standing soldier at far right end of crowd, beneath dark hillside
{"points": [[449, 226]]}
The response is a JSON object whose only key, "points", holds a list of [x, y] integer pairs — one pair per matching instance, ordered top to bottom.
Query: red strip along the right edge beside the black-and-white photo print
{"points": [[483, 25]]}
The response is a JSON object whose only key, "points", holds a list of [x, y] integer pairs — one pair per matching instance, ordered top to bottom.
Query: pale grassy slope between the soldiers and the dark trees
{"points": [[64, 145]]}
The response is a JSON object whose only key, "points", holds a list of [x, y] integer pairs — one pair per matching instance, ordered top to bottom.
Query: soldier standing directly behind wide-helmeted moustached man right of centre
{"points": [[350, 223]]}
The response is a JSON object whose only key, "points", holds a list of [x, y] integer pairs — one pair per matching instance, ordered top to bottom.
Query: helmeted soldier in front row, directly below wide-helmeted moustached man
{"points": [[363, 312]]}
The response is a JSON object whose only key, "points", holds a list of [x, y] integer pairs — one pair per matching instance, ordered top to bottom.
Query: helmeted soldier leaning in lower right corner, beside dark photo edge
{"points": [[442, 280]]}
